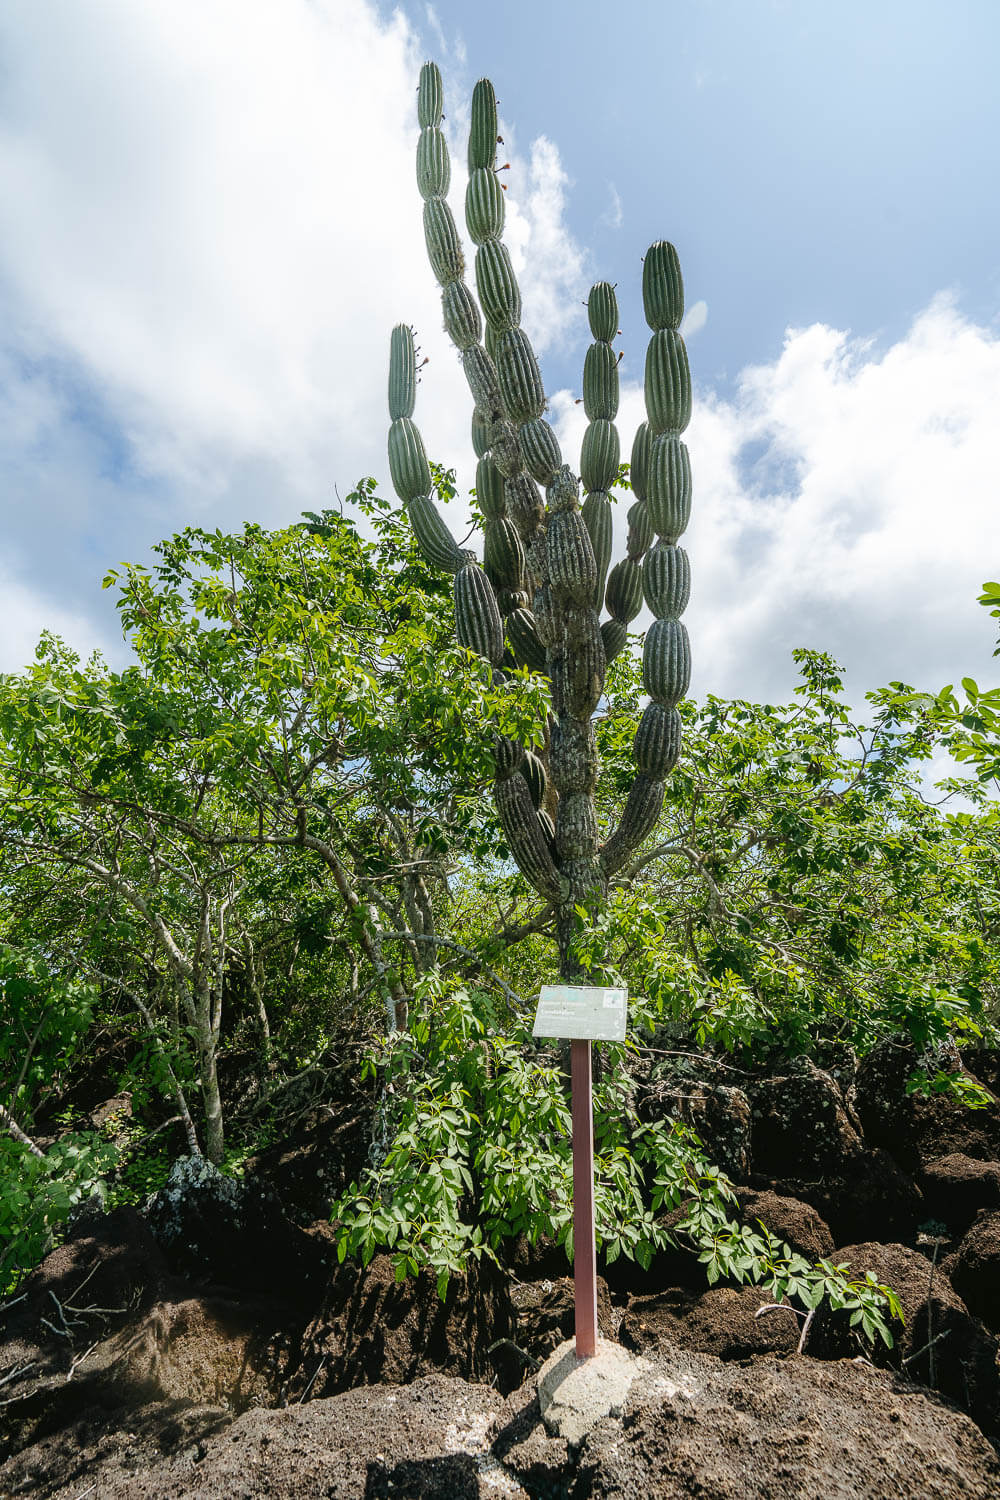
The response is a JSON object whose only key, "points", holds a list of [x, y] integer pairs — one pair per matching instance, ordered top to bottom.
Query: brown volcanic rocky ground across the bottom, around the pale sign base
{"points": [[212, 1345]]}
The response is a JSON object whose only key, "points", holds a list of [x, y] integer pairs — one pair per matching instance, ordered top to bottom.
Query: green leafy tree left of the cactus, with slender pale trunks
{"points": [[295, 721]]}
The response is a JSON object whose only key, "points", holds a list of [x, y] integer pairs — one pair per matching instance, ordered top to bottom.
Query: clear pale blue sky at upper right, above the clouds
{"points": [[813, 163]]}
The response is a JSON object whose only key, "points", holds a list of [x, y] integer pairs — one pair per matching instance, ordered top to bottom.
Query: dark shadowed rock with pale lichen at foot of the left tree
{"points": [[235, 1235]]}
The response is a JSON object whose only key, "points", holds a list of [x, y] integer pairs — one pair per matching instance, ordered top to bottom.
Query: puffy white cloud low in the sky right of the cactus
{"points": [[845, 500]]}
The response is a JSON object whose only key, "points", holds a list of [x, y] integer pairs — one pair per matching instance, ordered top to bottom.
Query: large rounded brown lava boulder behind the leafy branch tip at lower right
{"points": [[963, 1361]]}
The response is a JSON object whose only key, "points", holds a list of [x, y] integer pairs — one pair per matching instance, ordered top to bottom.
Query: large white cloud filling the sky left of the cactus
{"points": [[209, 224]]}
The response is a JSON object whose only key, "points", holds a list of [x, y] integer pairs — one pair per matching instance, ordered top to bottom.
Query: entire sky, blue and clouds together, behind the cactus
{"points": [[209, 223]]}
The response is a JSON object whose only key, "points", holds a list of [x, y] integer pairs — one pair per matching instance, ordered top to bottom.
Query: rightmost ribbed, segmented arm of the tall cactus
{"points": [[662, 479]]}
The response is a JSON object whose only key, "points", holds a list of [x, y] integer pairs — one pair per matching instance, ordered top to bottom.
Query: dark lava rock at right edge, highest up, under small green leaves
{"points": [[917, 1129]]}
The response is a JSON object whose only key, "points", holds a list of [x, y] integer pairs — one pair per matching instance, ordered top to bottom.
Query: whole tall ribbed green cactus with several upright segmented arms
{"points": [[536, 599]]}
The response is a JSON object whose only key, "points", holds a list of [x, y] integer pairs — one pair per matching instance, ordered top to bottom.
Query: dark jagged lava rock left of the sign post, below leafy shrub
{"points": [[374, 1328]]}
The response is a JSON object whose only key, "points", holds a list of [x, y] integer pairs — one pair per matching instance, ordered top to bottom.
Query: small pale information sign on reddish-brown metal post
{"points": [[582, 1015]]}
